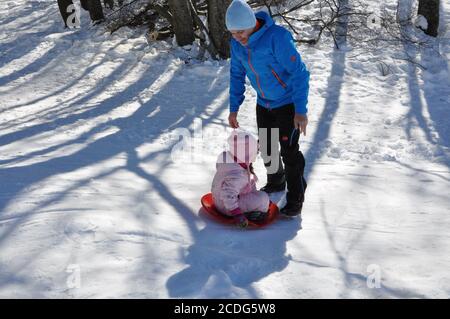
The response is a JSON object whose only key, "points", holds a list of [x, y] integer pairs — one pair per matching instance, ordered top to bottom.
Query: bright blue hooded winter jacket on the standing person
{"points": [[274, 67]]}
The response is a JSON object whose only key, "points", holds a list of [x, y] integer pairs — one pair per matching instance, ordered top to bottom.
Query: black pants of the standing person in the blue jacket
{"points": [[282, 118]]}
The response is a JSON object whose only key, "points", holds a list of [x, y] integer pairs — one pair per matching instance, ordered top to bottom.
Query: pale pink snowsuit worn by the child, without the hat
{"points": [[234, 187]]}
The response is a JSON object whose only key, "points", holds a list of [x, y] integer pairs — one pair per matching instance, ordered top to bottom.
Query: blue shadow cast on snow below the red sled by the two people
{"points": [[224, 261]]}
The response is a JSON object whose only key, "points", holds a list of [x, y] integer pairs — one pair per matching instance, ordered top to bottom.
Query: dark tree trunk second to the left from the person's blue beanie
{"points": [[183, 24]]}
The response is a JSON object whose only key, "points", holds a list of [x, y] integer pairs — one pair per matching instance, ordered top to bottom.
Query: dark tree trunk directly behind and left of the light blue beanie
{"points": [[216, 25]]}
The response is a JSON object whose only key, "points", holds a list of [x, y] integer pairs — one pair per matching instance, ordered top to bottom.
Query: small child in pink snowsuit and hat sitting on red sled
{"points": [[234, 184]]}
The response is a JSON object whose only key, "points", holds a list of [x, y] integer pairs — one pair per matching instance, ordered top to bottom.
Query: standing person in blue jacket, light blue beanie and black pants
{"points": [[266, 54]]}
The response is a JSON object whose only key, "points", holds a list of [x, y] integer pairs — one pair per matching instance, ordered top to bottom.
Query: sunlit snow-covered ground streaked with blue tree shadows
{"points": [[92, 204]]}
